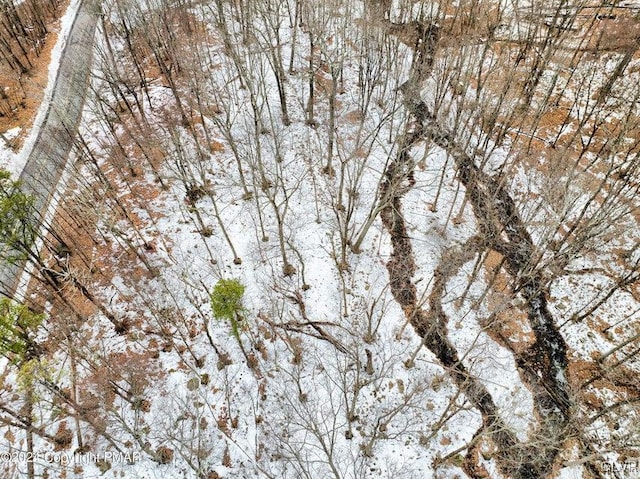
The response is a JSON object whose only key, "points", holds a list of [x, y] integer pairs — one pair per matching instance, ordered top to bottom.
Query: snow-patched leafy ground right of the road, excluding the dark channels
{"points": [[326, 378]]}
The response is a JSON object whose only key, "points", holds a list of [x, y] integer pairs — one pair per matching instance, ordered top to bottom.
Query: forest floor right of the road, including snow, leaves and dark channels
{"points": [[322, 379]]}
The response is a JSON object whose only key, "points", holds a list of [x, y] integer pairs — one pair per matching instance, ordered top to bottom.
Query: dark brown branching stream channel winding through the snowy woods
{"points": [[543, 366]]}
